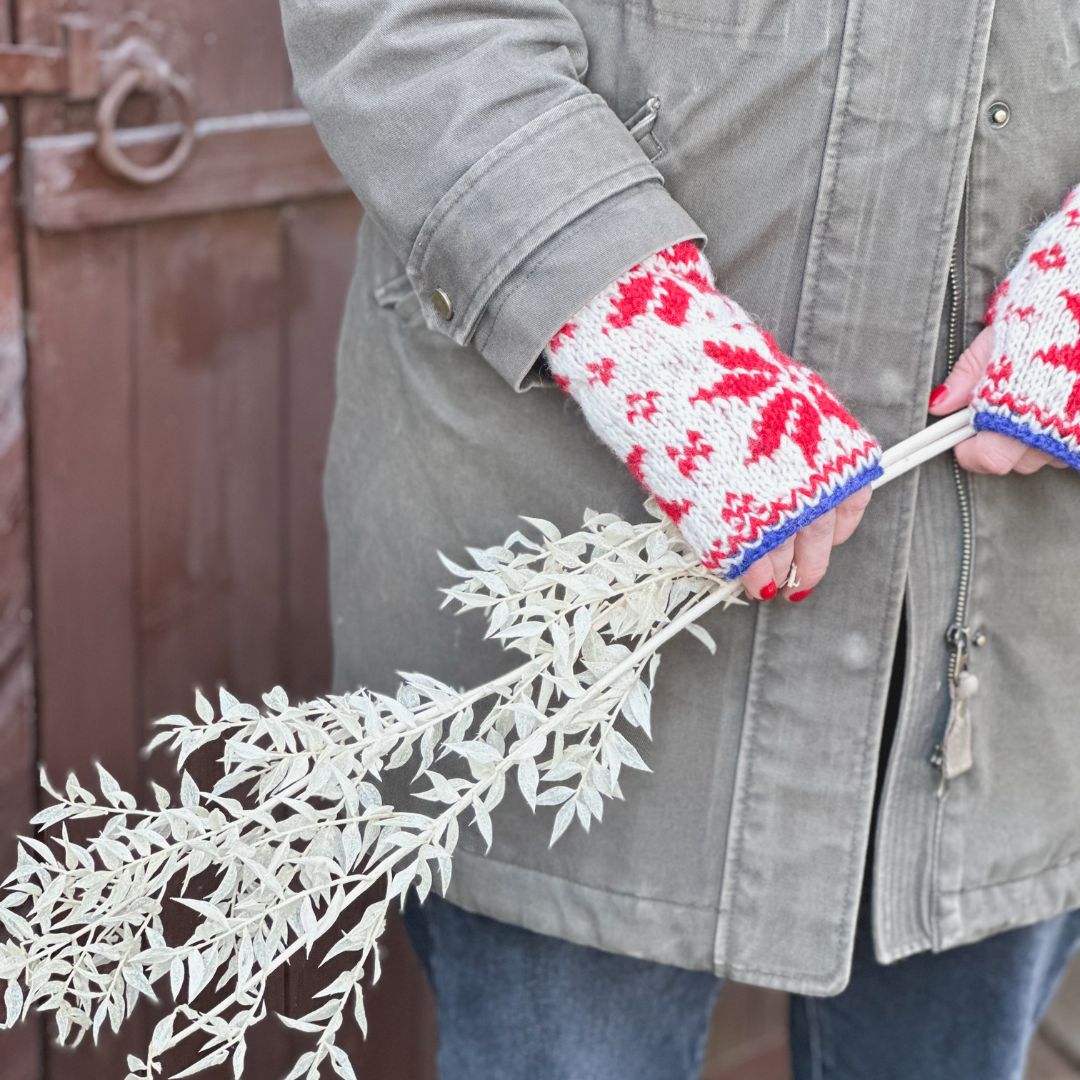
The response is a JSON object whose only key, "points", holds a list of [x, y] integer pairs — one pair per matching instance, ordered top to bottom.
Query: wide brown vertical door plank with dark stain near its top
{"points": [[209, 456]]}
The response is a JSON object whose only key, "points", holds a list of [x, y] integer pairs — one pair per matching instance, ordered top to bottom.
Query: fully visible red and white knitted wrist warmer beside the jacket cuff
{"points": [[740, 445]]}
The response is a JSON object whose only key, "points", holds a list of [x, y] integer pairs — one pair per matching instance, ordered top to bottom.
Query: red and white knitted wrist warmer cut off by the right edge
{"points": [[1032, 387]]}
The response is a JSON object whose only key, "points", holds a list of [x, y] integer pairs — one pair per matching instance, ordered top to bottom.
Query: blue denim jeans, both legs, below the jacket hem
{"points": [[519, 1006]]}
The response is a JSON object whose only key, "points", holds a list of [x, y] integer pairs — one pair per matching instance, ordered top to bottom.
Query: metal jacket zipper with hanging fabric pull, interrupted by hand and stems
{"points": [[953, 755]]}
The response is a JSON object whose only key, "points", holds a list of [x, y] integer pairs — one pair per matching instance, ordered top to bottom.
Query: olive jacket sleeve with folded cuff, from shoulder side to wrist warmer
{"points": [[496, 175]]}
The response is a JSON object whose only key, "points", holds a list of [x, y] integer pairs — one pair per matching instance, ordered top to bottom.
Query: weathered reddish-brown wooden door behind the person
{"points": [[180, 341]]}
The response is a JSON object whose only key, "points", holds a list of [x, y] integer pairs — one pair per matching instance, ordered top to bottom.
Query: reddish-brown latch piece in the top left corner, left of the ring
{"points": [[73, 69]]}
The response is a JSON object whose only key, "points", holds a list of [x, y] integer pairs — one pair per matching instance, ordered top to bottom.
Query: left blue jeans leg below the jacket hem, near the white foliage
{"points": [[517, 1005]]}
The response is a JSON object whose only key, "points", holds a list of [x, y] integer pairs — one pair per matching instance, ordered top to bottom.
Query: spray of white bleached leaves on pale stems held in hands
{"points": [[296, 830]]}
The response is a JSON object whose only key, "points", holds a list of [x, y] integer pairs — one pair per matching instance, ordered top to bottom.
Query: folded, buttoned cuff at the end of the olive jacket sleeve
{"points": [[515, 205]]}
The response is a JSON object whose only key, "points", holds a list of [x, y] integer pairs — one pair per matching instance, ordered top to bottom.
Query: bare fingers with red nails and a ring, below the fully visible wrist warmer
{"points": [[811, 550]]}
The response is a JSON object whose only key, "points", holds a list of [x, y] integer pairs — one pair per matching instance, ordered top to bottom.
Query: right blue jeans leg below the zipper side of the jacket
{"points": [[968, 1014]]}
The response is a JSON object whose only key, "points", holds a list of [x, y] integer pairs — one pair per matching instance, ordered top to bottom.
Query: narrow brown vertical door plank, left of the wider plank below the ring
{"points": [[82, 400]]}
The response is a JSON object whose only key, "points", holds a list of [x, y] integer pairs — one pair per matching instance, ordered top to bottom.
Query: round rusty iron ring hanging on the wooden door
{"points": [[110, 152]]}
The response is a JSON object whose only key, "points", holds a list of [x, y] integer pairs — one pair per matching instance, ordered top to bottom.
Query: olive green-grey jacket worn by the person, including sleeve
{"points": [[512, 160]]}
